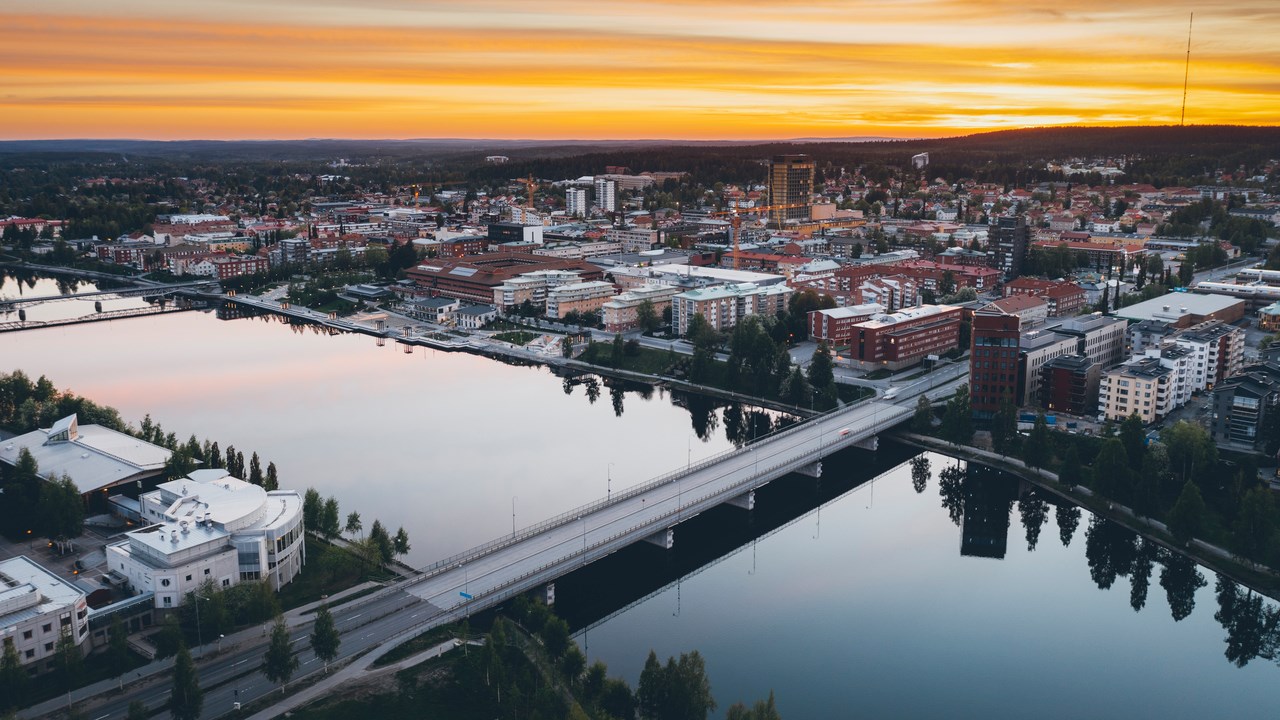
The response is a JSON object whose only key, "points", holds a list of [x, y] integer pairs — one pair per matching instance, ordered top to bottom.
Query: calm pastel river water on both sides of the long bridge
{"points": [[849, 596]]}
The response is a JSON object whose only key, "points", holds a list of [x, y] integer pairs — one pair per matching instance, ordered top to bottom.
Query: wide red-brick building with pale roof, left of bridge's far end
{"points": [[904, 339]]}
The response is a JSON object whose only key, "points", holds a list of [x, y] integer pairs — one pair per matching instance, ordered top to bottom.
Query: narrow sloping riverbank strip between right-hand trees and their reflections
{"points": [[1258, 578]]}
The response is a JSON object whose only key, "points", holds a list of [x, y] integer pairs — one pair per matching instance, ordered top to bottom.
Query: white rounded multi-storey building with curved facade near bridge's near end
{"points": [[211, 528]]}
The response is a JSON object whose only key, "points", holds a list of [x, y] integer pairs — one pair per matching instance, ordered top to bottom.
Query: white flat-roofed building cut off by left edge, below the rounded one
{"points": [[36, 607]]}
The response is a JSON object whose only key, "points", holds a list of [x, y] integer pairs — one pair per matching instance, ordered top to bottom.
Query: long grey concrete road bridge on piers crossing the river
{"points": [[536, 557]]}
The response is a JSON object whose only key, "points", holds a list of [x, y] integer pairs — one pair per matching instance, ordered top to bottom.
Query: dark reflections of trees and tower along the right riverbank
{"points": [[1252, 623]]}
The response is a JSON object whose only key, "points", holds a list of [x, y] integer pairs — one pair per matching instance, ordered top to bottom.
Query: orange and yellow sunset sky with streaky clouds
{"points": [[693, 70]]}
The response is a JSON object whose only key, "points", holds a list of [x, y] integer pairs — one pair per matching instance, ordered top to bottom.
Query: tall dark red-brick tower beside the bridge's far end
{"points": [[994, 361]]}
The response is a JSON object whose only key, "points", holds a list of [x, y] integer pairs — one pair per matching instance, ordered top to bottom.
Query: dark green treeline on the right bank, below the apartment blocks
{"points": [[1180, 480]]}
